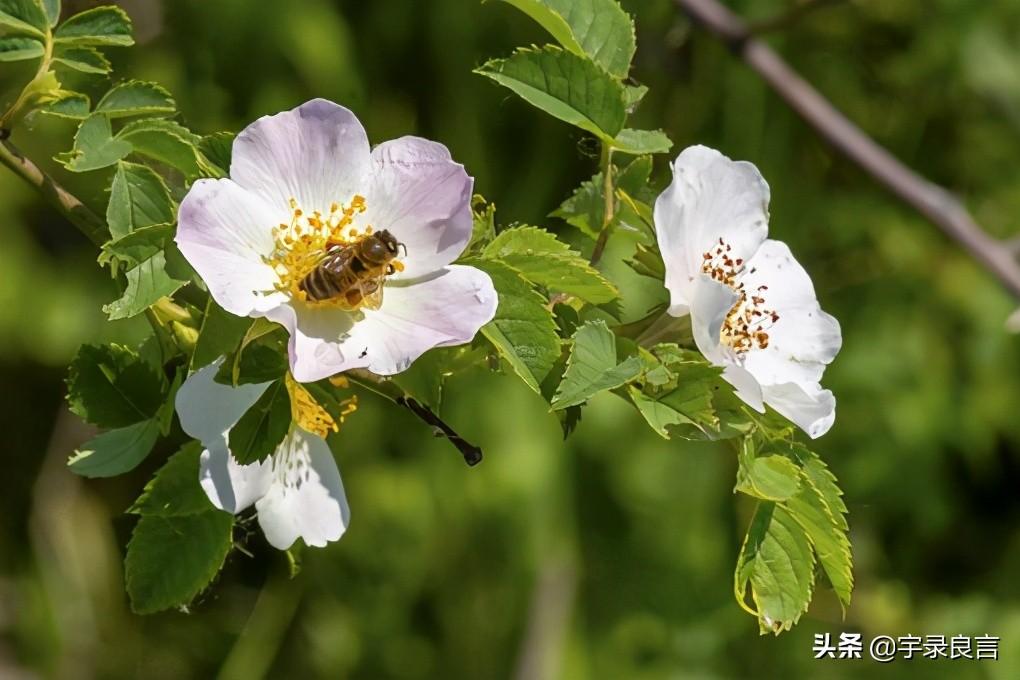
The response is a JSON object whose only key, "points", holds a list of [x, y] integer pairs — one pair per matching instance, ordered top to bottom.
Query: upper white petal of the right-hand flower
{"points": [[711, 198]]}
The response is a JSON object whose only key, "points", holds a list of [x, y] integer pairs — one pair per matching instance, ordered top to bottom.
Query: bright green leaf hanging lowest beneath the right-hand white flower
{"points": [[778, 563]]}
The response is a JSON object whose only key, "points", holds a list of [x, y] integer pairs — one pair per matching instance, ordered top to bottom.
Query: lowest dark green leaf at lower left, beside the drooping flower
{"points": [[171, 560]]}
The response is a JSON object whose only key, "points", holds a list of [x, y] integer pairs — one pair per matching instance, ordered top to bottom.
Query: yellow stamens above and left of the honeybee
{"points": [[301, 245]]}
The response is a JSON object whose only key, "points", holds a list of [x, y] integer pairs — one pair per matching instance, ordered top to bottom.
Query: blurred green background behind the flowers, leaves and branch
{"points": [[610, 556]]}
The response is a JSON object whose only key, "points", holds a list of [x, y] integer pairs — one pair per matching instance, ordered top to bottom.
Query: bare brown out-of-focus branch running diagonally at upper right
{"points": [[934, 202]]}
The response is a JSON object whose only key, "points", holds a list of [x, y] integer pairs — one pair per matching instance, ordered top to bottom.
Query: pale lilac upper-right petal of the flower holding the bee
{"points": [[424, 198]]}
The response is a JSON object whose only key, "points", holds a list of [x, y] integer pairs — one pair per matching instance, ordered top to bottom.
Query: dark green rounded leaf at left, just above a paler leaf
{"points": [[111, 386]]}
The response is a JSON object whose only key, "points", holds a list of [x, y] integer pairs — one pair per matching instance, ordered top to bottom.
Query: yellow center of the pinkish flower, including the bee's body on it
{"points": [[324, 254]]}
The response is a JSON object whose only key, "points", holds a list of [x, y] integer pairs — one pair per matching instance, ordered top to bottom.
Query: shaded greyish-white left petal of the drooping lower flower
{"points": [[209, 410]]}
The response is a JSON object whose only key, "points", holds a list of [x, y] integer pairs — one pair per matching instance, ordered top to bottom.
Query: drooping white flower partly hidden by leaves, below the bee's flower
{"points": [[296, 492]]}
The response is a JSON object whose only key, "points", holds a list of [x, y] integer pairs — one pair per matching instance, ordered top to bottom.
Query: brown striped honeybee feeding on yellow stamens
{"points": [[352, 274]]}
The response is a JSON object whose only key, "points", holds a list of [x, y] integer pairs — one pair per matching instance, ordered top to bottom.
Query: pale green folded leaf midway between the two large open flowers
{"points": [[593, 367]]}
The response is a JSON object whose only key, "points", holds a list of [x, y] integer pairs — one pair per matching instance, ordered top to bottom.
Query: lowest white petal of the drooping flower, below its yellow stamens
{"points": [[307, 499]]}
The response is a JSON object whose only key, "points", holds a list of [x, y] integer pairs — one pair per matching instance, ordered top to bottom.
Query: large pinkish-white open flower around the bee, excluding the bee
{"points": [[305, 182]]}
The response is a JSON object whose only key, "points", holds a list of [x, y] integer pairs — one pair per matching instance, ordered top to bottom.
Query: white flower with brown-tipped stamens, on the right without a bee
{"points": [[753, 308]]}
